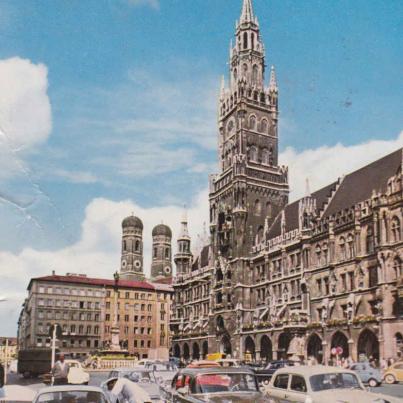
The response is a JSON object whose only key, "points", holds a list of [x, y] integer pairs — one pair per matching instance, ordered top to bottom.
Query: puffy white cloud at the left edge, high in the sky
{"points": [[25, 112]]}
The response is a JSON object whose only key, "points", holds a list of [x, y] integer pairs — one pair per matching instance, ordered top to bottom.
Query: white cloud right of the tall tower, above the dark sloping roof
{"points": [[326, 164]]}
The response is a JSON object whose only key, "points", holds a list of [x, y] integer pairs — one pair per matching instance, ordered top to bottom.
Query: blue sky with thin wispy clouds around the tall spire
{"points": [[132, 87]]}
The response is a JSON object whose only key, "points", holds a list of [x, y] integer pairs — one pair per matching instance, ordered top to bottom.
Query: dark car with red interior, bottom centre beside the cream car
{"points": [[216, 385]]}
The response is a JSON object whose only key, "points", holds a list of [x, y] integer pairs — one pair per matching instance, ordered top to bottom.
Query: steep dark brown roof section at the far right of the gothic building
{"points": [[358, 185]]}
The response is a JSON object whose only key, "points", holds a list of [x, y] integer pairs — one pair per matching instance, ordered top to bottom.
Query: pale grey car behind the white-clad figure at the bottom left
{"points": [[142, 377]]}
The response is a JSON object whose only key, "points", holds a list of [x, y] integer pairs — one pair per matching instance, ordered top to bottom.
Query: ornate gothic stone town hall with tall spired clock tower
{"points": [[279, 279]]}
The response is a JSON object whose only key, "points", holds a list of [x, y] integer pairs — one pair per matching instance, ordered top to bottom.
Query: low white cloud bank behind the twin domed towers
{"points": [[97, 253]]}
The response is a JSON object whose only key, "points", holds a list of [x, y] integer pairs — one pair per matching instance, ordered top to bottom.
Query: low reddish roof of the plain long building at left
{"points": [[93, 281]]}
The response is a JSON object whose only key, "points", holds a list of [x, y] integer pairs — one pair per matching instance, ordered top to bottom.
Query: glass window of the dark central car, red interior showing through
{"points": [[218, 383]]}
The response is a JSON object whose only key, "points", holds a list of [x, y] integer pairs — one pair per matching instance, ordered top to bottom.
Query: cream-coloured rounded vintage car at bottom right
{"points": [[320, 384]]}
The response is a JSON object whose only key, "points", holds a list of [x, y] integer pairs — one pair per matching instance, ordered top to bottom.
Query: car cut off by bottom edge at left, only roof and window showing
{"points": [[72, 394]]}
